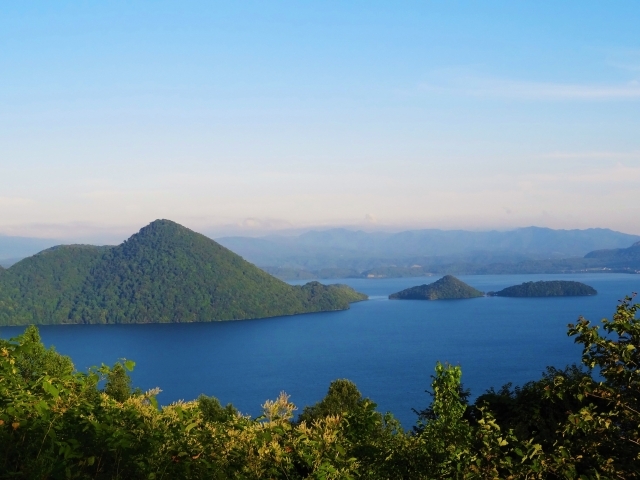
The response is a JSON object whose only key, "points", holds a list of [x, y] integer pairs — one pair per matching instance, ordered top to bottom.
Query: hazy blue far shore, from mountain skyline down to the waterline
{"points": [[341, 253]]}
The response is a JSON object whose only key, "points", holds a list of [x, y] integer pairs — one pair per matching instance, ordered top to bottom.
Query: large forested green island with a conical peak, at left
{"points": [[165, 273]]}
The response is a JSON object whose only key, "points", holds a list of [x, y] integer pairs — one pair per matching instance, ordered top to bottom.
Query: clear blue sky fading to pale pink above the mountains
{"points": [[256, 117]]}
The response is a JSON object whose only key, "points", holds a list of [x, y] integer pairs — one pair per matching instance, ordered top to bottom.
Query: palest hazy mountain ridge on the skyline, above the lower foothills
{"points": [[532, 242]]}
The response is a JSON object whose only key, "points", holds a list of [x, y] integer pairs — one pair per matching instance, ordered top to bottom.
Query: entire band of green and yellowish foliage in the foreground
{"points": [[580, 422]]}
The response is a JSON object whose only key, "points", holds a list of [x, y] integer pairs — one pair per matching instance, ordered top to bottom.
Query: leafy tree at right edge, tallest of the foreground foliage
{"points": [[602, 438]]}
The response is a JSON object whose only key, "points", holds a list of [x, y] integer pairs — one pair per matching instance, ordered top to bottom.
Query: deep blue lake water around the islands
{"points": [[388, 348]]}
